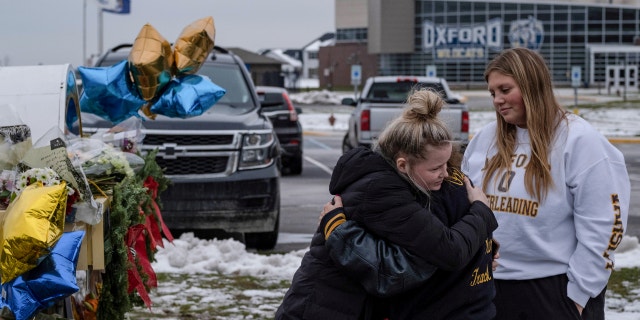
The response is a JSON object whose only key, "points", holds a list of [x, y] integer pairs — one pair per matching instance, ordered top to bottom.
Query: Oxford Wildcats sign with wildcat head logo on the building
{"points": [[472, 42]]}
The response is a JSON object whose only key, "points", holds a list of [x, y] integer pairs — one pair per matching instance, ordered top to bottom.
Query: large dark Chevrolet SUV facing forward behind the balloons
{"points": [[224, 164]]}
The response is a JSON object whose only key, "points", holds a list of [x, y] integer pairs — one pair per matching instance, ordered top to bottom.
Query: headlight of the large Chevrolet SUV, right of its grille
{"points": [[256, 150]]}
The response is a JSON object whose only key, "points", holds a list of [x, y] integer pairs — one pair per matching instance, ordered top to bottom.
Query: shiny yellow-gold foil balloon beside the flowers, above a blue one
{"points": [[33, 223]]}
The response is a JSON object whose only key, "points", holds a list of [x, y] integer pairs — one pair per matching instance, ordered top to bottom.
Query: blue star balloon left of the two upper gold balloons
{"points": [[109, 92]]}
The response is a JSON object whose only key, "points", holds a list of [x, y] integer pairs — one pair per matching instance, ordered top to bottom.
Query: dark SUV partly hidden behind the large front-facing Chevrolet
{"points": [[277, 105]]}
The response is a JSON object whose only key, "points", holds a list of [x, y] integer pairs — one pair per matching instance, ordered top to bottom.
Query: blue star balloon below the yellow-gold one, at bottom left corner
{"points": [[52, 279]]}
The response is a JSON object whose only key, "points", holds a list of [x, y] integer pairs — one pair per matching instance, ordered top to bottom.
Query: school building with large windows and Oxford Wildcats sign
{"points": [[593, 43]]}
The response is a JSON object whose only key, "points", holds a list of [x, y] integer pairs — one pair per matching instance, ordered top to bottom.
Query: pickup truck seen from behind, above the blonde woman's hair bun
{"points": [[383, 98]]}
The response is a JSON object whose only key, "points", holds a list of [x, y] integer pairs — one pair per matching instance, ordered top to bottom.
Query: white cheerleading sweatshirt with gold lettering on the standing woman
{"points": [[577, 226]]}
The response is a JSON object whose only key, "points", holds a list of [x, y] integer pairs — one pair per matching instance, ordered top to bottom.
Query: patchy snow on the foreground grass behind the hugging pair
{"points": [[197, 270]]}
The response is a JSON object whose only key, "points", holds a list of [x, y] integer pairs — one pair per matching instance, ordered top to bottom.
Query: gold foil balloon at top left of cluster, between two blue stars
{"points": [[150, 62]]}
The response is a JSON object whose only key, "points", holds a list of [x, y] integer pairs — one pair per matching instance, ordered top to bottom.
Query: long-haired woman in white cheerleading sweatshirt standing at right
{"points": [[559, 190]]}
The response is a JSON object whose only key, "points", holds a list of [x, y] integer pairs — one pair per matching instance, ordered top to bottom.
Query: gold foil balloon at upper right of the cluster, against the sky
{"points": [[193, 46]]}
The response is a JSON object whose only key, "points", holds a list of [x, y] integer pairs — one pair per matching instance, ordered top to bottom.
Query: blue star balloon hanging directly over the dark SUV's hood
{"points": [[188, 96]]}
